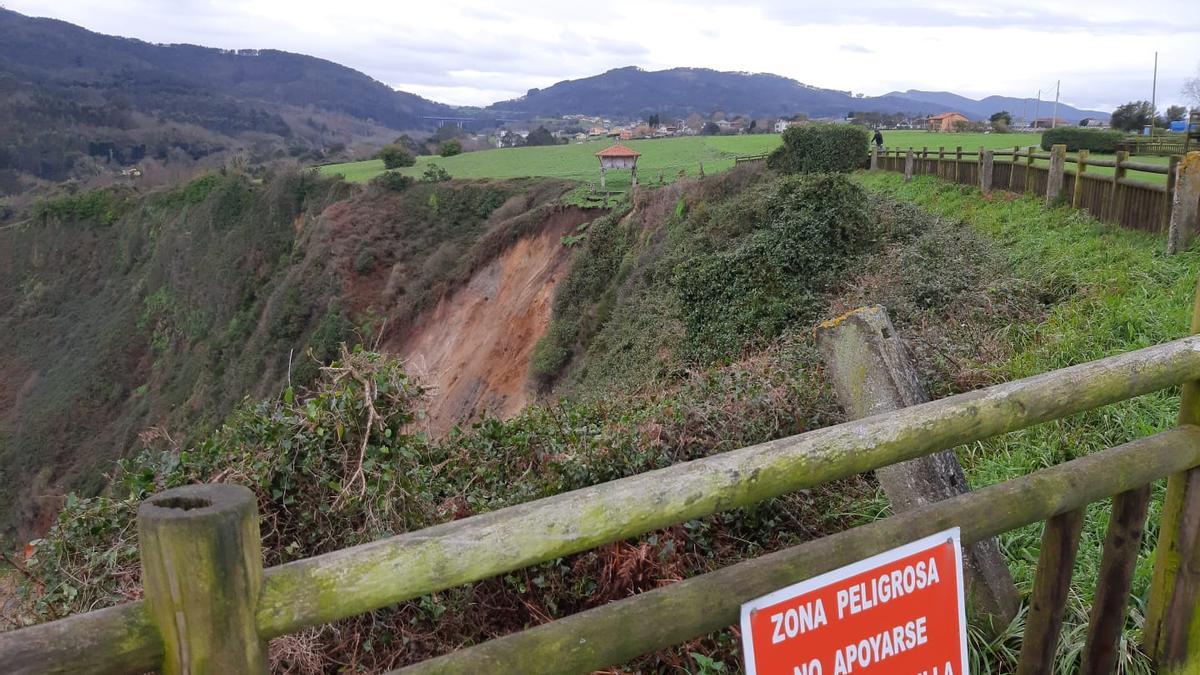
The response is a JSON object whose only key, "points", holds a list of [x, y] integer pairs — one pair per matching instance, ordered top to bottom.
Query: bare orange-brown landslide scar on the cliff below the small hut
{"points": [[473, 349]]}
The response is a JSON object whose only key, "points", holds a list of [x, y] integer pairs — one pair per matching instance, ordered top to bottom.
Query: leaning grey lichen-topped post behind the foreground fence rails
{"points": [[872, 374]]}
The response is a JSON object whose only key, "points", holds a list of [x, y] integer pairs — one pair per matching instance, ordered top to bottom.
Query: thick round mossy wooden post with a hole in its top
{"points": [[202, 569]]}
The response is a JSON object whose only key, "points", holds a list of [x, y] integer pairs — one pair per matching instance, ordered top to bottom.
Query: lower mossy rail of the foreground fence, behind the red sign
{"points": [[617, 632]]}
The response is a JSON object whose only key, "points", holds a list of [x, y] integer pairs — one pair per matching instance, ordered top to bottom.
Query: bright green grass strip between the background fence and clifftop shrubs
{"points": [[1118, 291]]}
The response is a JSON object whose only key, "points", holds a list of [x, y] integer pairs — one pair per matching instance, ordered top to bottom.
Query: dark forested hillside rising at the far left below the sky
{"points": [[75, 104]]}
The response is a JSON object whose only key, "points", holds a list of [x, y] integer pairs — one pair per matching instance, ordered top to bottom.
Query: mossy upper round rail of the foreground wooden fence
{"points": [[363, 578]]}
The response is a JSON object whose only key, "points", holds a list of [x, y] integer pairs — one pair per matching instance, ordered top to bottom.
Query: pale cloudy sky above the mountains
{"points": [[479, 52]]}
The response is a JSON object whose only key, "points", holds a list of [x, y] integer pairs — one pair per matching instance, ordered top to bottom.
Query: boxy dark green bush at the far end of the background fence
{"points": [[821, 148]]}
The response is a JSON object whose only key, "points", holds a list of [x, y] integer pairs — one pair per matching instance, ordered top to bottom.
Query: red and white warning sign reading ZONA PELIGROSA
{"points": [[898, 613]]}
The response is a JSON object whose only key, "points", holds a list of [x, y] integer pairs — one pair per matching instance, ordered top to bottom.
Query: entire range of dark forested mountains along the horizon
{"points": [[76, 104]]}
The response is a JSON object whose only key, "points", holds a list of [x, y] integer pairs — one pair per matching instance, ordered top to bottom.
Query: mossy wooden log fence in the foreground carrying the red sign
{"points": [[209, 606]]}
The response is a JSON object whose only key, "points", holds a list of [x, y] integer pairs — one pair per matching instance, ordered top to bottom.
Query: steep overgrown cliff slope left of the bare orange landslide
{"points": [[124, 314]]}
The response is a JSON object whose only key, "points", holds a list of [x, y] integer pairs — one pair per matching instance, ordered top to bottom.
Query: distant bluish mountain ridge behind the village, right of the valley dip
{"points": [[633, 92]]}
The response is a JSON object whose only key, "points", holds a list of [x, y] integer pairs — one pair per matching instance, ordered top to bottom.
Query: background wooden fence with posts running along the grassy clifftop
{"points": [[1117, 199]]}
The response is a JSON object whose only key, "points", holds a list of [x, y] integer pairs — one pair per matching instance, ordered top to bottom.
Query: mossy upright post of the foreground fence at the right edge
{"points": [[1172, 636]]}
